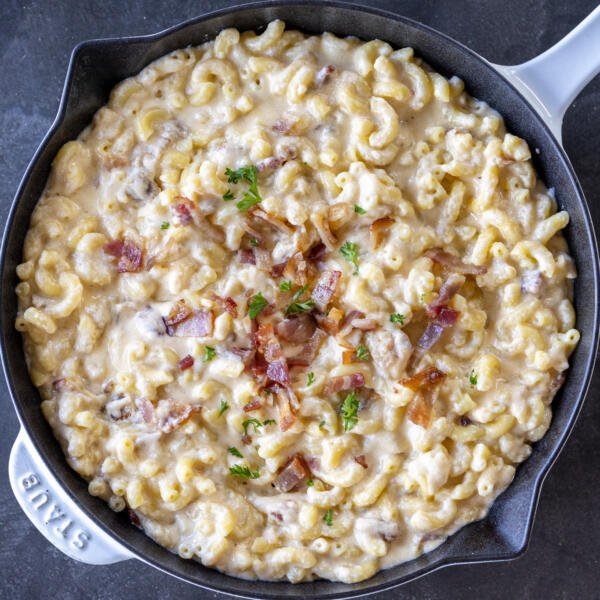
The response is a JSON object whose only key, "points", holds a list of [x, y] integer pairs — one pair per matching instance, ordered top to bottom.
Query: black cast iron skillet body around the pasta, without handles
{"points": [[97, 66]]}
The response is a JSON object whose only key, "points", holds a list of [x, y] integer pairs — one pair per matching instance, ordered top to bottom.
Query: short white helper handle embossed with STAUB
{"points": [[54, 513]]}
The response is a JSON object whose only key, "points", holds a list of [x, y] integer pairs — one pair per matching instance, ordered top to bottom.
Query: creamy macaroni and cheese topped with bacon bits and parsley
{"points": [[298, 302]]}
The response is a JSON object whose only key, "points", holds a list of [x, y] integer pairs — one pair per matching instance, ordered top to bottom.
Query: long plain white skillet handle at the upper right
{"points": [[552, 80]]}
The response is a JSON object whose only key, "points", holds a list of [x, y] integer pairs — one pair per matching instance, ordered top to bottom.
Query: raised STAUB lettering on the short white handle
{"points": [[51, 514]]}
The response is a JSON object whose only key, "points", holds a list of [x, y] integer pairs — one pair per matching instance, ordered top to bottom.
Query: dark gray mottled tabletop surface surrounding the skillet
{"points": [[35, 41]]}
